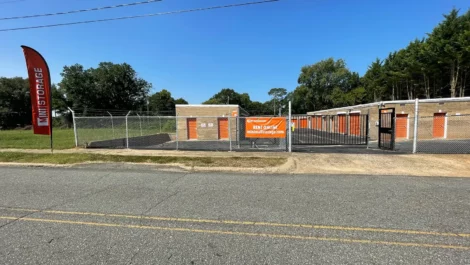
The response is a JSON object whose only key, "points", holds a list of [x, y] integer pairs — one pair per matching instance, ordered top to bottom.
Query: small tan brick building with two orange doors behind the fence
{"points": [[206, 122]]}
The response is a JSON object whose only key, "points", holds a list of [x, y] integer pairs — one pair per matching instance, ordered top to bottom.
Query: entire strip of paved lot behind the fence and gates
{"points": [[304, 140]]}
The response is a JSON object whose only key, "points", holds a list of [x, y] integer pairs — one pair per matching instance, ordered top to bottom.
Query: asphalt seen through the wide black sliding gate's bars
{"points": [[313, 136]]}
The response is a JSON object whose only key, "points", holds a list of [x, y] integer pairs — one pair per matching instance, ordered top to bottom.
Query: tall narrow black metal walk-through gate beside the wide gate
{"points": [[387, 129]]}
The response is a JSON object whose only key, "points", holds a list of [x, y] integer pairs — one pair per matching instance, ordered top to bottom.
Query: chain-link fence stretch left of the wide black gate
{"points": [[170, 133]]}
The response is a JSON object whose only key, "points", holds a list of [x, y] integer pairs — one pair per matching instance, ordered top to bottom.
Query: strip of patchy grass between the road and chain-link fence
{"points": [[75, 158]]}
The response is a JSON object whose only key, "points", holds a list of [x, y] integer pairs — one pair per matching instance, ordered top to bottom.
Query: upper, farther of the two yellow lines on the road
{"points": [[231, 222]]}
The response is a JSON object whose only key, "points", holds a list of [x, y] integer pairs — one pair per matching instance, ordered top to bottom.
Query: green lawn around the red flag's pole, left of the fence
{"points": [[25, 139]]}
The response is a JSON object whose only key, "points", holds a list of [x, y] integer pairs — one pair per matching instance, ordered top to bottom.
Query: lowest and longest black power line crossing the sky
{"points": [[140, 16]]}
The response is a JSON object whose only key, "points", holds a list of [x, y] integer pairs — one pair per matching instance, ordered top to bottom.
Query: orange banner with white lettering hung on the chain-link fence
{"points": [[265, 127]]}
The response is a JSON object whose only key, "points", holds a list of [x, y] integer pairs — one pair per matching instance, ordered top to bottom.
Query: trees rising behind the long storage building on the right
{"points": [[436, 66]]}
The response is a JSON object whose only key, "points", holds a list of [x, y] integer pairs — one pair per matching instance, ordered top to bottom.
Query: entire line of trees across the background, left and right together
{"points": [[433, 67]]}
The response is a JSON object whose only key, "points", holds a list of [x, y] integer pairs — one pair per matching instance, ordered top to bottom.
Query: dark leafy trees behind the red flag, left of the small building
{"points": [[109, 88]]}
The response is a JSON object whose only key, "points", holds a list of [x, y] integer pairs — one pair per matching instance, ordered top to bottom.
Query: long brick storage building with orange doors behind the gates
{"points": [[446, 118]]}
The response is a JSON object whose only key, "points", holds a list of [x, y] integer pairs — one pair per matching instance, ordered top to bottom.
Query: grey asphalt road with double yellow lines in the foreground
{"points": [[127, 215]]}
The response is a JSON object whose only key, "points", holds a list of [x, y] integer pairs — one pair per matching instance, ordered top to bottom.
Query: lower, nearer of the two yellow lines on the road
{"points": [[221, 232]]}
